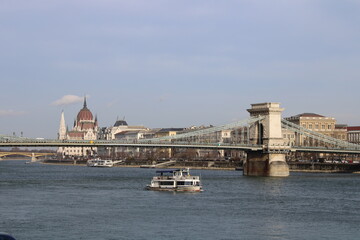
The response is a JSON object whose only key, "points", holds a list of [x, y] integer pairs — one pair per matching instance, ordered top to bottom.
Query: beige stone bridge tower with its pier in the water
{"points": [[271, 160]]}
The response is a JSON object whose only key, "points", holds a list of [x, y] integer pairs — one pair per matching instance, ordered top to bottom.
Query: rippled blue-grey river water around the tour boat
{"points": [[53, 202]]}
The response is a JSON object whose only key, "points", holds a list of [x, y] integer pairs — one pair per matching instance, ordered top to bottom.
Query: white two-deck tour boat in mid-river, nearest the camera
{"points": [[175, 180]]}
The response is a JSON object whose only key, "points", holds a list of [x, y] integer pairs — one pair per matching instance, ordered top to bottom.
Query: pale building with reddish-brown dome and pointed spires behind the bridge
{"points": [[85, 128]]}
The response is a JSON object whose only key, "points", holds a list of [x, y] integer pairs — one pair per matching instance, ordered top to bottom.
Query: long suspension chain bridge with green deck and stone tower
{"points": [[260, 136]]}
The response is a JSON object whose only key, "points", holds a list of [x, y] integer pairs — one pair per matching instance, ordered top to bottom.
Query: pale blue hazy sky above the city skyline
{"points": [[171, 63]]}
